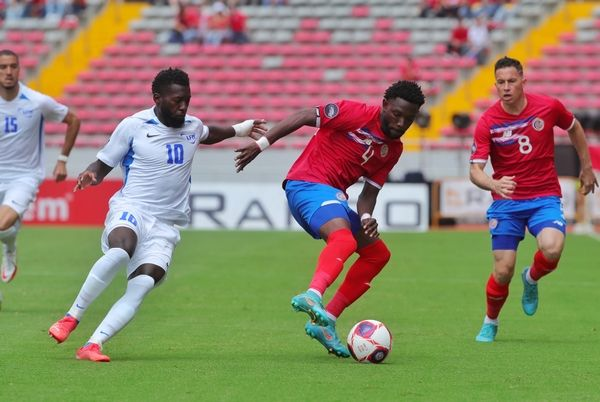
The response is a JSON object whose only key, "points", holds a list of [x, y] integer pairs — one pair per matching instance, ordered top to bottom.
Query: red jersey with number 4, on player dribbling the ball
{"points": [[348, 145]]}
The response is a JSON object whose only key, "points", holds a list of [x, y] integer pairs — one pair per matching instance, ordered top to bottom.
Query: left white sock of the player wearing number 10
{"points": [[100, 276]]}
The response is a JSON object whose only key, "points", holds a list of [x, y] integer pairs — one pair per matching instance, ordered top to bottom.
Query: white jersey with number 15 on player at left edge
{"points": [[22, 132]]}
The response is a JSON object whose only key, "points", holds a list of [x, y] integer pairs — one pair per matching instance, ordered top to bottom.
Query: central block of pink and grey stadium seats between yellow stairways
{"points": [[301, 54]]}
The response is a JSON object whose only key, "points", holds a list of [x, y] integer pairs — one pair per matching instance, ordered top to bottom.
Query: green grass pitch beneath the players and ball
{"points": [[221, 328]]}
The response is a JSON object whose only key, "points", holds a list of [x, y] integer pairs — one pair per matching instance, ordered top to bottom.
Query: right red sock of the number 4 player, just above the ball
{"points": [[371, 261]]}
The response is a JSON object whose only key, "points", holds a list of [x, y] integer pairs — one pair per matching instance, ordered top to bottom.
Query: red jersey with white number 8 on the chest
{"points": [[523, 145]]}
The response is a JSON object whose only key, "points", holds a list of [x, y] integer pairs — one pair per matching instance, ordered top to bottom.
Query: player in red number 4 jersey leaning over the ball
{"points": [[354, 140]]}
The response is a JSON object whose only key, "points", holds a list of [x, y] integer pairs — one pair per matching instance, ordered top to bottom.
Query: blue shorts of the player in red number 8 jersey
{"points": [[508, 219]]}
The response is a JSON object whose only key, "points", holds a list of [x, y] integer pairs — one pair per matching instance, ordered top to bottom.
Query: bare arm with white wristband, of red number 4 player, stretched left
{"points": [[304, 117]]}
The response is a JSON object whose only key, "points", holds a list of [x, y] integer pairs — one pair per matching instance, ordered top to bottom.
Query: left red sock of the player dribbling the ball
{"points": [[340, 246]]}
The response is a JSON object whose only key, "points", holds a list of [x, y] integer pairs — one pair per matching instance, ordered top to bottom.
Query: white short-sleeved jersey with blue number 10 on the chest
{"points": [[156, 161]]}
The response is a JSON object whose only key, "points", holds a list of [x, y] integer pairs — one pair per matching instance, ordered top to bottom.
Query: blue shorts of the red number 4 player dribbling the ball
{"points": [[313, 204]]}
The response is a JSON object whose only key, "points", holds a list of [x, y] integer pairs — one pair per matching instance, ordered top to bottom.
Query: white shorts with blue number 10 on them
{"points": [[156, 240]]}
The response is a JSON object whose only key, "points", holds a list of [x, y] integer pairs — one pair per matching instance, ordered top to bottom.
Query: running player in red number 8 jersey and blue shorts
{"points": [[517, 134]]}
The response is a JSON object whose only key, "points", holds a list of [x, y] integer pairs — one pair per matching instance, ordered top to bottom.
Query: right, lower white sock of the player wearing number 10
{"points": [[124, 309]]}
